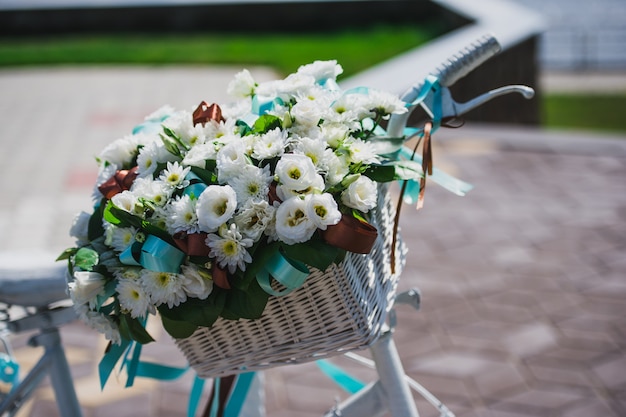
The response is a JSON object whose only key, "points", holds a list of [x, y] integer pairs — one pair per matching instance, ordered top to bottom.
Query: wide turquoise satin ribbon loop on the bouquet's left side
{"points": [[155, 254]]}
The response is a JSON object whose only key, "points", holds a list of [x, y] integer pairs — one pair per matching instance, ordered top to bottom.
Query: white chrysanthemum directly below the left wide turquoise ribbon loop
{"points": [[163, 287]]}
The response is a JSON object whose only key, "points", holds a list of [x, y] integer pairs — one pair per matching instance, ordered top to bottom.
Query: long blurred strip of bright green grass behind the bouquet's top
{"points": [[354, 49]]}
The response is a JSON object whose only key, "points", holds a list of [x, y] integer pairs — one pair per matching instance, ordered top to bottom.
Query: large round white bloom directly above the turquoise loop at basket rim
{"points": [[292, 223]]}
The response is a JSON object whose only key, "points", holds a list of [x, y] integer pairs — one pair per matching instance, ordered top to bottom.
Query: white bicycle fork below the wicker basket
{"points": [[390, 392]]}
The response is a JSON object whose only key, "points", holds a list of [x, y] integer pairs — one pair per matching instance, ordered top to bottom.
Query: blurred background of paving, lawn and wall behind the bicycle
{"points": [[523, 279]]}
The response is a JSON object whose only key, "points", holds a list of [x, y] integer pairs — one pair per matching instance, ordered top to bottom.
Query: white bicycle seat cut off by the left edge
{"points": [[31, 279]]}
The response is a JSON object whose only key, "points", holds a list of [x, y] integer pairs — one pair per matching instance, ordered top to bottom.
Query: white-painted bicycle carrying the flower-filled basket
{"points": [[39, 291]]}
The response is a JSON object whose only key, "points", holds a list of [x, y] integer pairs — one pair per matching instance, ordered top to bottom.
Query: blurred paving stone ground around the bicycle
{"points": [[523, 280]]}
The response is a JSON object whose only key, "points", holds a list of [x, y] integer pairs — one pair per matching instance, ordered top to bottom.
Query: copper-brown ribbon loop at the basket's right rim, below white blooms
{"points": [[351, 234]]}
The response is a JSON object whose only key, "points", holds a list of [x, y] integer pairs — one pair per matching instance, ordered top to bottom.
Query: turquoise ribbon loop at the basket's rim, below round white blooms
{"points": [[289, 273]]}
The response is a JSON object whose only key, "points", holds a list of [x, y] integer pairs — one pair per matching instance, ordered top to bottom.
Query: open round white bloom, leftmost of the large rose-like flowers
{"points": [[215, 206]]}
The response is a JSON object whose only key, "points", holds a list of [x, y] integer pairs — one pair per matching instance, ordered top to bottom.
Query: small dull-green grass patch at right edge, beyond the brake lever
{"points": [[599, 112]]}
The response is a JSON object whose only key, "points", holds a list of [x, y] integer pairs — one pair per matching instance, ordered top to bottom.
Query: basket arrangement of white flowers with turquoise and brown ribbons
{"points": [[217, 216]]}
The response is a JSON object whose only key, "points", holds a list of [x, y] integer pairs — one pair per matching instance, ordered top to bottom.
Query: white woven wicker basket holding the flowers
{"points": [[341, 309]]}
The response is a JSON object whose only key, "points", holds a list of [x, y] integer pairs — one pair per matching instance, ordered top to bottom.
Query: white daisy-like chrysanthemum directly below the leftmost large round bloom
{"points": [[229, 248]]}
